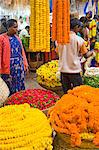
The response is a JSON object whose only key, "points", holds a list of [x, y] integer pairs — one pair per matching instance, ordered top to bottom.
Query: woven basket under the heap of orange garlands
{"points": [[62, 142]]}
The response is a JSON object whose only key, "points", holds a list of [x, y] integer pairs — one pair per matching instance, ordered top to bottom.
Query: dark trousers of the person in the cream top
{"points": [[70, 80]]}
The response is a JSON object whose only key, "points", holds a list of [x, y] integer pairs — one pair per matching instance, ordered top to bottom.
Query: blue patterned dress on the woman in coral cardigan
{"points": [[15, 80]]}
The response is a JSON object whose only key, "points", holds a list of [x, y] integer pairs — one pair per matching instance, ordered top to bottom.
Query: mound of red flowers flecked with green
{"points": [[37, 98]]}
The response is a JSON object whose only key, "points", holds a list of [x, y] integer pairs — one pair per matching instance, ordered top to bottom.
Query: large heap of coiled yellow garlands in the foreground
{"points": [[24, 128]]}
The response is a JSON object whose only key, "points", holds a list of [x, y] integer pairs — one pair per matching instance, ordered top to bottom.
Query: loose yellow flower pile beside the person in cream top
{"points": [[46, 74]]}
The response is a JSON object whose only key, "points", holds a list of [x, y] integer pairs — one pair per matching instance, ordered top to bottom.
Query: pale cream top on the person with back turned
{"points": [[69, 60]]}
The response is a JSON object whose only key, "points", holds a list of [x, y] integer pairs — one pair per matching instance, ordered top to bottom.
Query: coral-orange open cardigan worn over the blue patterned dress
{"points": [[5, 54]]}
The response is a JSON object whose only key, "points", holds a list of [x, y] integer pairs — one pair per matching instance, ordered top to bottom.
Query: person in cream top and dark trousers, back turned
{"points": [[69, 58]]}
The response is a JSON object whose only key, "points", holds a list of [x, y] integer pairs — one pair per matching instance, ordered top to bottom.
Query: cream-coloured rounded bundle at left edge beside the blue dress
{"points": [[4, 92]]}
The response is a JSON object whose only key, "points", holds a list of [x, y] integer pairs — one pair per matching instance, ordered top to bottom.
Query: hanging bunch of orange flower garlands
{"points": [[61, 21]]}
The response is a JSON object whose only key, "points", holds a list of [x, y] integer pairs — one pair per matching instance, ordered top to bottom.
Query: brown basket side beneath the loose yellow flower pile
{"points": [[58, 90]]}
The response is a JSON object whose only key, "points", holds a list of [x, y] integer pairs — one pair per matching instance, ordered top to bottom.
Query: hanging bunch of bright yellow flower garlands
{"points": [[39, 26]]}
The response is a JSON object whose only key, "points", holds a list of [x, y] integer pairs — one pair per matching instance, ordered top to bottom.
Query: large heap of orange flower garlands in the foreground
{"points": [[77, 114]]}
